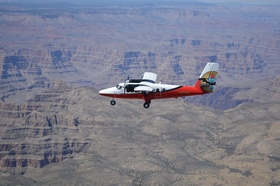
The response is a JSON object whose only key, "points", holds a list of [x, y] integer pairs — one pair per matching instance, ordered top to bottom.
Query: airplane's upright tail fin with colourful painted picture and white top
{"points": [[208, 77]]}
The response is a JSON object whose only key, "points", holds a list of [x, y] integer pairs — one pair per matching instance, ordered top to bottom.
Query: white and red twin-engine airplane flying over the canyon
{"points": [[147, 89]]}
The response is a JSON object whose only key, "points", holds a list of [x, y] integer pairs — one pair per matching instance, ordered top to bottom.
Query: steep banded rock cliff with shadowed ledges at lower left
{"points": [[38, 133]]}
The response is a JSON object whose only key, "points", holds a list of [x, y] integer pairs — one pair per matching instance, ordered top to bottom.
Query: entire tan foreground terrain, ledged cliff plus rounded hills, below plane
{"points": [[67, 134]]}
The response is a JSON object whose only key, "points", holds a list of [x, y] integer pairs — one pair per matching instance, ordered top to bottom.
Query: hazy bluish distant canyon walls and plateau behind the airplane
{"points": [[100, 46]]}
